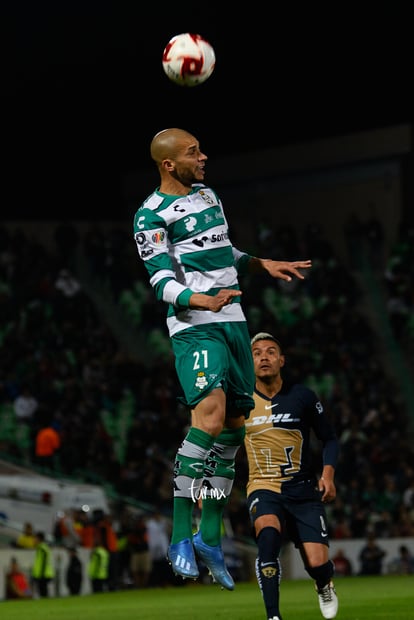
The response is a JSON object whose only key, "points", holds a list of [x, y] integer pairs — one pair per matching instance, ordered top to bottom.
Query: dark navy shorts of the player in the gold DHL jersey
{"points": [[302, 519]]}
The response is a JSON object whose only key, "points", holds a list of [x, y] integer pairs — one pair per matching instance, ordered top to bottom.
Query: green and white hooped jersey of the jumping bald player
{"points": [[184, 243]]}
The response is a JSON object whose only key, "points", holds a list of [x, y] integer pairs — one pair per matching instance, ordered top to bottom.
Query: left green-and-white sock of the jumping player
{"points": [[188, 476]]}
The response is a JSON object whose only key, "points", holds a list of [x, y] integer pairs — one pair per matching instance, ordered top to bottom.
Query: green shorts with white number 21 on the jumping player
{"points": [[212, 356]]}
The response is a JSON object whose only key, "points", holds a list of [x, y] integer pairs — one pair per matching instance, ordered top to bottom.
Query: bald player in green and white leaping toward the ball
{"points": [[183, 238]]}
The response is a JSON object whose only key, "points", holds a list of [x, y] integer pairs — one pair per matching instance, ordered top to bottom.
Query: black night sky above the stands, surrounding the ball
{"points": [[84, 89]]}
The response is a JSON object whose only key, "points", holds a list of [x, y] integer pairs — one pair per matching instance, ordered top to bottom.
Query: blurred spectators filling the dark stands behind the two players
{"points": [[118, 418]]}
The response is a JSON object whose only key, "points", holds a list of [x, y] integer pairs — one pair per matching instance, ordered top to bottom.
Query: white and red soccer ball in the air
{"points": [[188, 59]]}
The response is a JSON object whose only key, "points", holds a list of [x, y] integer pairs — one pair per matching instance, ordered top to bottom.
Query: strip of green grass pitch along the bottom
{"points": [[360, 598]]}
